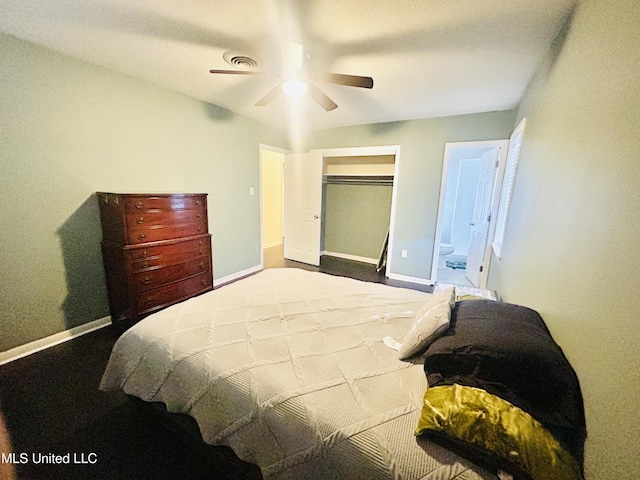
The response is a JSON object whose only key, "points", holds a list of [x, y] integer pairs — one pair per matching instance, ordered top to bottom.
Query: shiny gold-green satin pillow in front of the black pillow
{"points": [[494, 433]]}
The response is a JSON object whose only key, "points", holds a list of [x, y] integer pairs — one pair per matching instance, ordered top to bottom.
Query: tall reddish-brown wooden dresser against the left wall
{"points": [[156, 251]]}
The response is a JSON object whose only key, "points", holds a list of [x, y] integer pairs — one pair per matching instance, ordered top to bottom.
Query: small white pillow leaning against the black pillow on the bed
{"points": [[431, 321]]}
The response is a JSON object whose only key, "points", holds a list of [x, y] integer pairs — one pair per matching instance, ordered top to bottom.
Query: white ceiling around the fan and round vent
{"points": [[428, 58]]}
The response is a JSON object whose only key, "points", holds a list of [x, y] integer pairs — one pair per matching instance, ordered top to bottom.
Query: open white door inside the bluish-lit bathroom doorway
{"points": [[481, 217]]}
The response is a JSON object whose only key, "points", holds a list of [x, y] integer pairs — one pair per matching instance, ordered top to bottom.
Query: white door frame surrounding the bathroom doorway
{"points": [[449, 148]]}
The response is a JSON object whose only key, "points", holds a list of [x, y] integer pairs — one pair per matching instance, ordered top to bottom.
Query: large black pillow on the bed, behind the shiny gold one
{"points": [[507, 350]]}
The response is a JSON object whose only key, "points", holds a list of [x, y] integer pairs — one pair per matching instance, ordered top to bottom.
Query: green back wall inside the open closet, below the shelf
{"points": [[356, 218]]}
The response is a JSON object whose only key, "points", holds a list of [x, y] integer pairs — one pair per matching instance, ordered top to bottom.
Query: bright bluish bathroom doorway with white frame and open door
{"points": [[467, 200]]}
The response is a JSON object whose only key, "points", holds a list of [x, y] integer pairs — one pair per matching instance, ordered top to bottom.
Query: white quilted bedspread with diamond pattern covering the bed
{"points": [[288, 368]]}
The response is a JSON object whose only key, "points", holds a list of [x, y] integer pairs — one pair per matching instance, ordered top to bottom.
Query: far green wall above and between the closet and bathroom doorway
{"points": [[420, 171]]}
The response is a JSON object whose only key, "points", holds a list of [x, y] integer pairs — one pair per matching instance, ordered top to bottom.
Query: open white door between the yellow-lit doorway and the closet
{"points": [[302, 206]]}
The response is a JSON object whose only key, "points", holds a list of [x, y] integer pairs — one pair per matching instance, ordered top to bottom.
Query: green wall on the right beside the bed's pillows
{"points": [[571, 246]]}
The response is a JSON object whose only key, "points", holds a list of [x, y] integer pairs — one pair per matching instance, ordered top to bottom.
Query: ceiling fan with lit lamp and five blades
{"points": [[295, 80]]}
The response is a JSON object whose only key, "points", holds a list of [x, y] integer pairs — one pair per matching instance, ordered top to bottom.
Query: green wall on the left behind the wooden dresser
{"points": [[70, 129]]}
